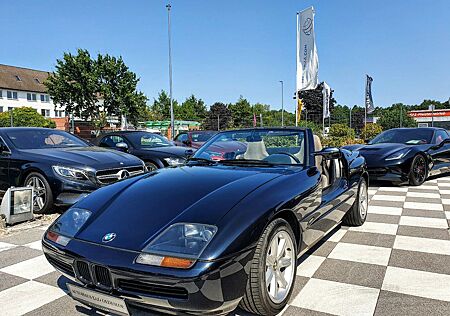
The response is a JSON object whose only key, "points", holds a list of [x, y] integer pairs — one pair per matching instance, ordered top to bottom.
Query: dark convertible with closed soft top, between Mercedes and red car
{"points": [[155, 150]]}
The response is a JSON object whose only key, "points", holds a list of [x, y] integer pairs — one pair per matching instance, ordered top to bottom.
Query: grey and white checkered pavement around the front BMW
{"points": [[397, 263]]}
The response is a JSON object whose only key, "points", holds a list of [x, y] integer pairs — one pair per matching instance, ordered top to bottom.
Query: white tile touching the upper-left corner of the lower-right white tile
{"points": [[361, 253]]}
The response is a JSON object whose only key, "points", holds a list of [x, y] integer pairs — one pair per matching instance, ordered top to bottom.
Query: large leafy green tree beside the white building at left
{"points": [[91, 89]]}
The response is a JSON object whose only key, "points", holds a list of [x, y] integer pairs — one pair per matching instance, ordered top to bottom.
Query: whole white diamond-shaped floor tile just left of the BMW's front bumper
{"points": [[30, 269]]}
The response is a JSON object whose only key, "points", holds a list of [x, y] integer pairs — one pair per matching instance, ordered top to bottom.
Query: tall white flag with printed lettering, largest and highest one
{"points": [[307, 59]]}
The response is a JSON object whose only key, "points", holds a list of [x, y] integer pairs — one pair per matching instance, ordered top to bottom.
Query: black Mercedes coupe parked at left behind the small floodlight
{"points": [[61, 167]]}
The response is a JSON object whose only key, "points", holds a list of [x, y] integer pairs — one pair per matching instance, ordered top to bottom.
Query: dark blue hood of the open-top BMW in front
{"points": [[138, 209]]}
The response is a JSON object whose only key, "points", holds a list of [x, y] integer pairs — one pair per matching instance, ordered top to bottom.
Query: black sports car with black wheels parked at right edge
{"points": [[408, 155]]}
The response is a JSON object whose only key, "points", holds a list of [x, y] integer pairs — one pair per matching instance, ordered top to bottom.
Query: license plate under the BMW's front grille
{"points": [[98, 300]]}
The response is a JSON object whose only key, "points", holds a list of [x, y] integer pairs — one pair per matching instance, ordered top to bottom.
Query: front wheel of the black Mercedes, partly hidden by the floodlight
{"points": [[42, 196]]}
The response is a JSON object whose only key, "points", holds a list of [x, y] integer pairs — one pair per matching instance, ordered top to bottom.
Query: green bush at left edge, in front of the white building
{"points": [[25, 116]]}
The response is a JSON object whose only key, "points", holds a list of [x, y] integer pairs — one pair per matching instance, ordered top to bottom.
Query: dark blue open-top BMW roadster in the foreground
{"points": [[231, 235]]}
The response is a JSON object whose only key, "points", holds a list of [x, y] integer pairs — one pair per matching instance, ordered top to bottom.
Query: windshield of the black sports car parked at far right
{"points": [[404, 136]]}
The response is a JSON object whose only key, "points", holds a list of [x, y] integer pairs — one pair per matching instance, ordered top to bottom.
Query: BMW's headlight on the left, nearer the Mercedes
{"points": [[67, 225]]}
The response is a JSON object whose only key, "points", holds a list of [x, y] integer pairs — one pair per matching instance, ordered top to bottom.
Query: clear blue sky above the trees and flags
{"points": [[223, 49]]}
